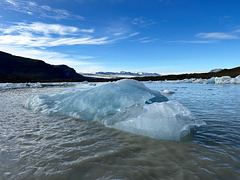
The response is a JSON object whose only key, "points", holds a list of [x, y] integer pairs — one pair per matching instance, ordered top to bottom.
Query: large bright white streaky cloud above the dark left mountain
{"points": [[48, 35]]}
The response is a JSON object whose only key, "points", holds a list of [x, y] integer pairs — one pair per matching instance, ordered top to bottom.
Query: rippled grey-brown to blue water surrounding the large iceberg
{"points": [[36, 146]]}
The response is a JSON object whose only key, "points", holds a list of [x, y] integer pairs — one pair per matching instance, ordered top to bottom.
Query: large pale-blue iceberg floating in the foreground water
{"points": [[126, 105]]}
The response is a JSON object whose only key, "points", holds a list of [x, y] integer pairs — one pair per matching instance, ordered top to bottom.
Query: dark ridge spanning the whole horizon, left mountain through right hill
{"points": [[21, 69]]}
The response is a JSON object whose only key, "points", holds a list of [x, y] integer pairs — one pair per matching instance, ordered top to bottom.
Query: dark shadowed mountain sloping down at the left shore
{"points": [[15, 67]]}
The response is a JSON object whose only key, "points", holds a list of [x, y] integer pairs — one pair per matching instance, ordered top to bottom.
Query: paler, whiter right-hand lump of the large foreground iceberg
{"points": [[167, 120]]}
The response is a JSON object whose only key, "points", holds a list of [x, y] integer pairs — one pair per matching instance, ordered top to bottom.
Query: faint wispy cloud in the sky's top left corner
{"points": [[40, 10]]}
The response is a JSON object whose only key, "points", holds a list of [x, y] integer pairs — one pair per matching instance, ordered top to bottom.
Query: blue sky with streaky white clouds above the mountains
{"points": [[163, 36]]}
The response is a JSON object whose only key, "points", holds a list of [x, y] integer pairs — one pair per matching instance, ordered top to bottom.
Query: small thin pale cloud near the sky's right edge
{"points": [[217, 35]]}
